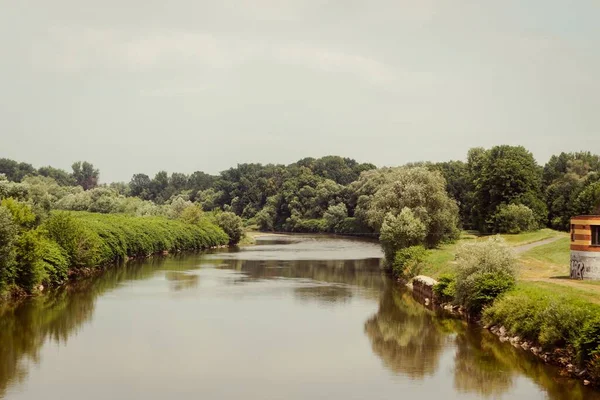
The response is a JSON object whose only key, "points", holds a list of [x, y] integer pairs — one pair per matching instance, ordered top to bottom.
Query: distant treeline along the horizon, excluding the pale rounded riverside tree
{"points": [[329, 193]]}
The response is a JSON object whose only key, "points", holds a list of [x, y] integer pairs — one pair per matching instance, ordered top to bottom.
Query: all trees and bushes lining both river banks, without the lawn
{"points": [[53, 223]]}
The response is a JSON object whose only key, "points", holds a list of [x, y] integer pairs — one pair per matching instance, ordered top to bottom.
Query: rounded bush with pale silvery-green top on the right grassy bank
{"points": [[484, 271]]}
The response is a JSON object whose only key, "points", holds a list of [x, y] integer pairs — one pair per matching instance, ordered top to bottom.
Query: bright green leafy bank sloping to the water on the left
{"points": [[67, 243]]}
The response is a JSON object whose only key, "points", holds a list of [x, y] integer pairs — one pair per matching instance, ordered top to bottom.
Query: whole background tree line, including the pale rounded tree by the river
{"points": [[498, 190]]}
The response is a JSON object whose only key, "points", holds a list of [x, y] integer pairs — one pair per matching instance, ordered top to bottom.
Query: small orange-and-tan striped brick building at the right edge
{"points": [[585, 247]]}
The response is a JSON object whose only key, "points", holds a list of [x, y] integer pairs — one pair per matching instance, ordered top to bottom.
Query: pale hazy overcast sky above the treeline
{"points": [[184, 85]]}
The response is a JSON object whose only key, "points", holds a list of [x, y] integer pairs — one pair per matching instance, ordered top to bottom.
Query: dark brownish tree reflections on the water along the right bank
{"points": [[411, 339]]}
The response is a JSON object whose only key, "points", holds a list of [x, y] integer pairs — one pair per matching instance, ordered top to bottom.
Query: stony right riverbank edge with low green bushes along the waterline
{"points": [[554, 327]]}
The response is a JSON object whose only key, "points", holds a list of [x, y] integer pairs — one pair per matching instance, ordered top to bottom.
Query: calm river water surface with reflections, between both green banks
{"points": [[294, 317]]}
